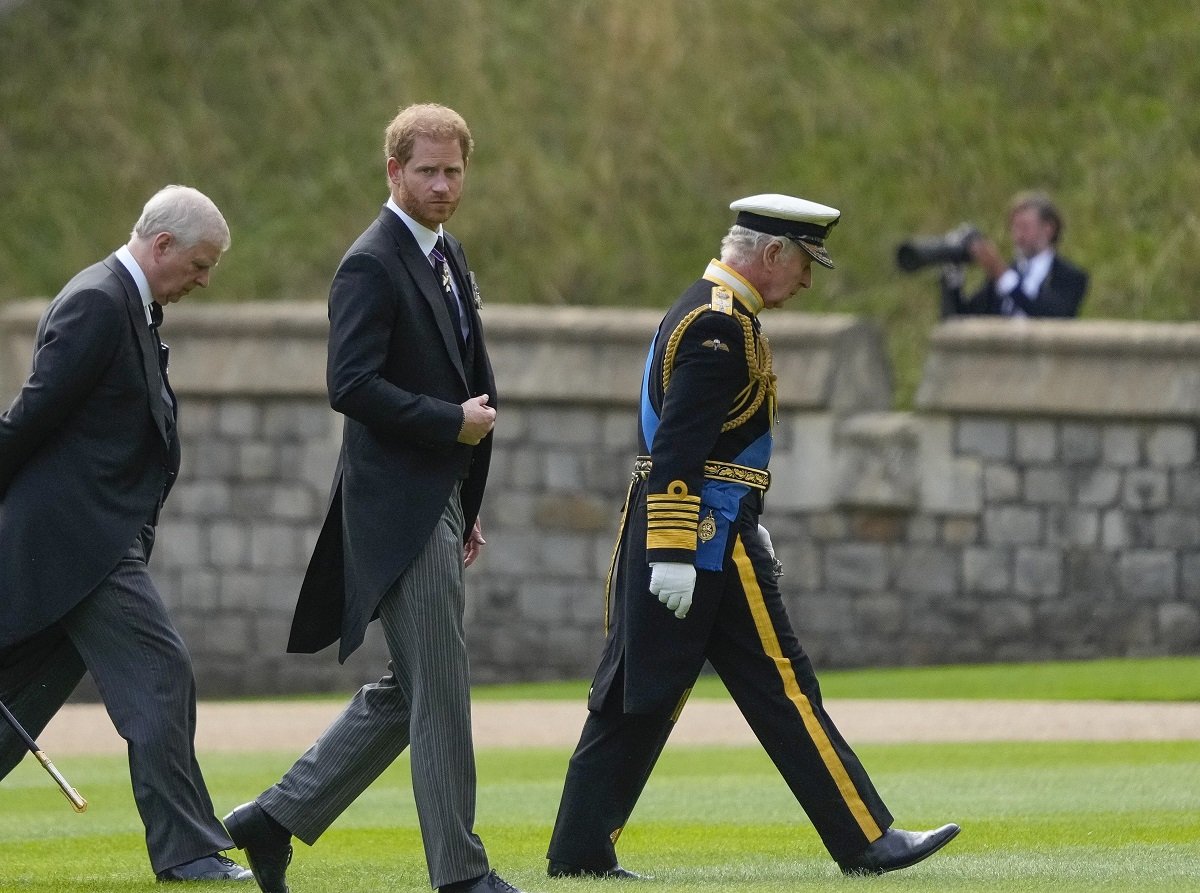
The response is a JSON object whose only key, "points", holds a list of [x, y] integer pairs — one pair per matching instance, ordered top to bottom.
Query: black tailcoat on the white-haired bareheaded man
{"points": [[87, 451]]}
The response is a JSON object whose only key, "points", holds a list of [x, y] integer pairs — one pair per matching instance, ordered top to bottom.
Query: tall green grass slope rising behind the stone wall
{"points": [[611, 137]]}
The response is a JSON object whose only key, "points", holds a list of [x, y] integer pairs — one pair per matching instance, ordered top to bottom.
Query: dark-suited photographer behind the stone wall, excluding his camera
{"points": [[1037, 284]]}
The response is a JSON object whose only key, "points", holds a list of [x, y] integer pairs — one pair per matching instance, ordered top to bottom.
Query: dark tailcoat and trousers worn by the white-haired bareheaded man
{"points": [[88, 452]]}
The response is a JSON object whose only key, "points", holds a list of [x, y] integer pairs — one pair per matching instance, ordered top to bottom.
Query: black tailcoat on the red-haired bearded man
{"points": [[397, 374]]}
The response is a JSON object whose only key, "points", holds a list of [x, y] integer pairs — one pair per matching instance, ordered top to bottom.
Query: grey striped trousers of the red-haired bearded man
{"points": [[424, 704]]}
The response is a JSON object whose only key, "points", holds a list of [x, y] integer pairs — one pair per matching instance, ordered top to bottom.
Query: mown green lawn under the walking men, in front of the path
{"points": [[1035, 818]]}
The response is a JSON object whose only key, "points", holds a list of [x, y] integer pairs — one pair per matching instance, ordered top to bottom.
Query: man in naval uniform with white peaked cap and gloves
{"points": [[694, 576]]}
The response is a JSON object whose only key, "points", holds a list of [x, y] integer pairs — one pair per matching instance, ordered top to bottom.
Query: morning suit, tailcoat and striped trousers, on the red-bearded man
{"points": [[405, 495]]}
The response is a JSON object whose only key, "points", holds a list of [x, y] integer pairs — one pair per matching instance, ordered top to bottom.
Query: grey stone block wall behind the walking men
{"points": [[1043, 500]]}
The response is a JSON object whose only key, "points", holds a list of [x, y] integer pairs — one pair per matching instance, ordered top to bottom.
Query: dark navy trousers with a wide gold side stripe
{"points": [[759, 658]]}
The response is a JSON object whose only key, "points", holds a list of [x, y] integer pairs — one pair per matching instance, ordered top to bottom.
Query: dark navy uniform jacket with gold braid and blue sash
{"points": [[709, 398]]}
